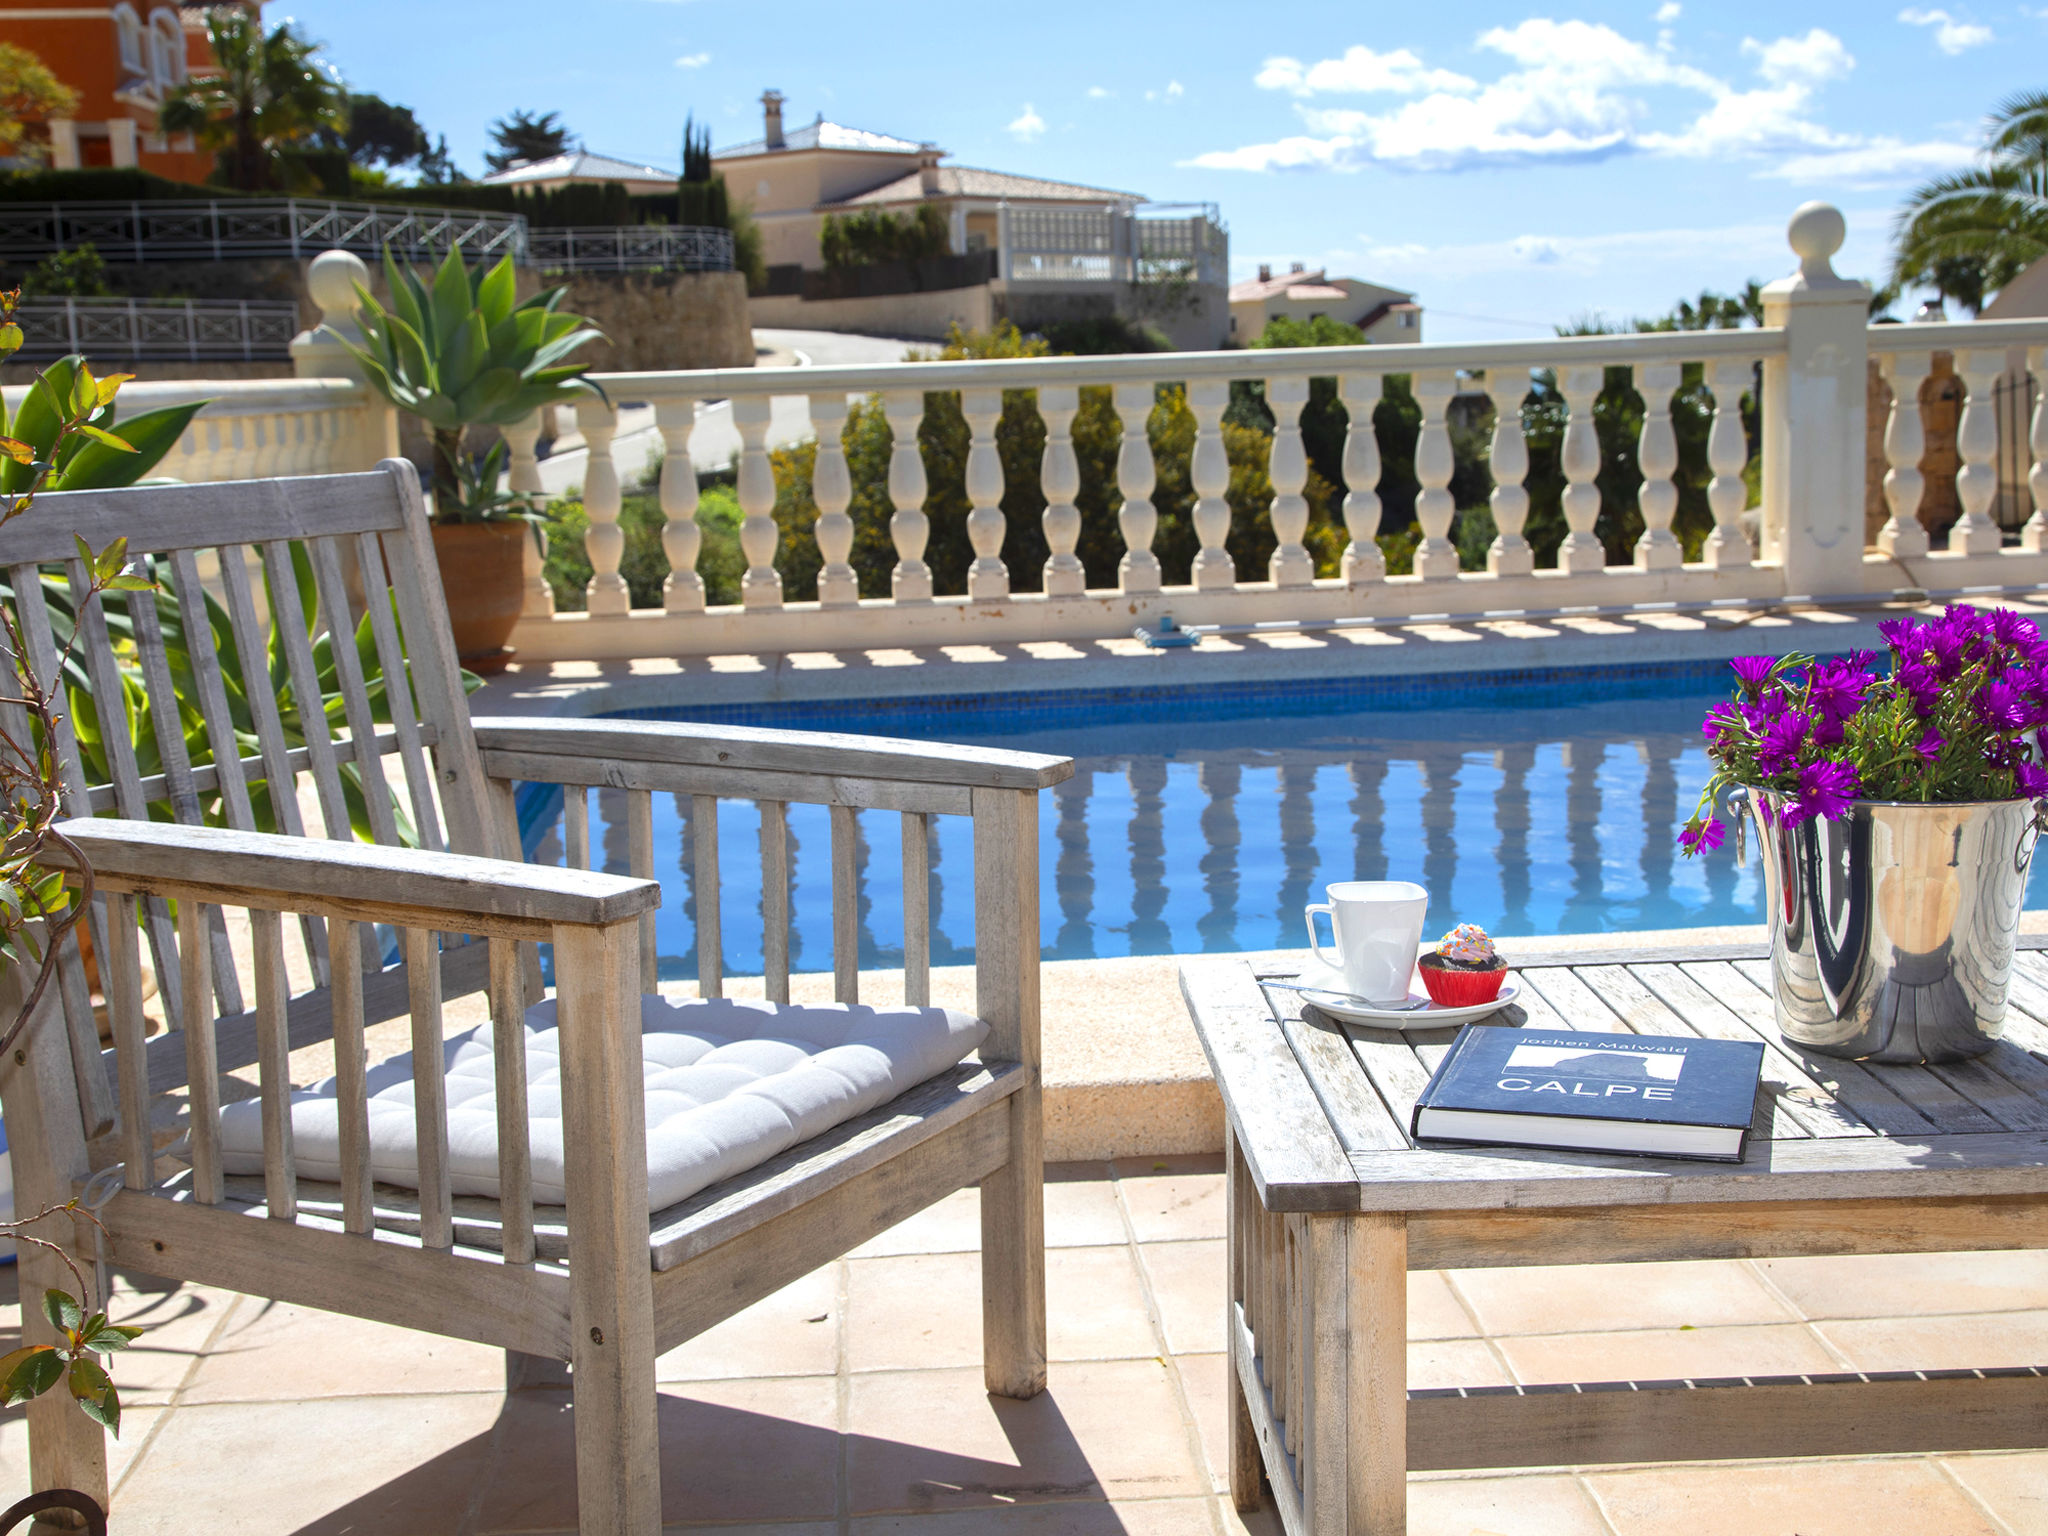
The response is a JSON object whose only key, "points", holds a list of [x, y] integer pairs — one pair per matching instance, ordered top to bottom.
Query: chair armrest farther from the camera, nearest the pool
{"points": [[785, 753]]}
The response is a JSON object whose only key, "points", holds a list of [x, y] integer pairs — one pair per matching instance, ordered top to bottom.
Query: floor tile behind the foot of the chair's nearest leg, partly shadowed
{"points": [[732, 1451]]}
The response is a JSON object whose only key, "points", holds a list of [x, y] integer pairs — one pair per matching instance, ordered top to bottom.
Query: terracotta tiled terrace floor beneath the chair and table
{"points": [[851, 1404]]}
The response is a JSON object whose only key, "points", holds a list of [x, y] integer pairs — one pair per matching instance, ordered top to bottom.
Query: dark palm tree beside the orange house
{"points": [[269, 99]]}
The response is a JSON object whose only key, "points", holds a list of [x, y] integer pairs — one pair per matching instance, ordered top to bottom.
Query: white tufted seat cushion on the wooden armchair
{"points": [[730, 1084]]}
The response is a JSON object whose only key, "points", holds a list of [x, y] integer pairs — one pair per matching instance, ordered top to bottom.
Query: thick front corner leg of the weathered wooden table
{"points": [[1355, 1402]]}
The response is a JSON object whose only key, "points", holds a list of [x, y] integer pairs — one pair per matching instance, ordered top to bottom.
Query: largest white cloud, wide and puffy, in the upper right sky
{"points": [[1576, 91]]}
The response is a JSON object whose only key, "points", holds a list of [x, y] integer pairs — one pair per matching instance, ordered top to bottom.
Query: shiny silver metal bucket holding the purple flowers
{"points": [[1893, 929]]}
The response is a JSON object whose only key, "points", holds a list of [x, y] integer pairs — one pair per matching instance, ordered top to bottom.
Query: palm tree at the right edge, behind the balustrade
{"points": [[1975, 230]]}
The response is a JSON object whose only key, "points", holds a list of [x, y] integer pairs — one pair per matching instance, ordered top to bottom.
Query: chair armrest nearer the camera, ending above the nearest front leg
{"points": [[351, 880]]}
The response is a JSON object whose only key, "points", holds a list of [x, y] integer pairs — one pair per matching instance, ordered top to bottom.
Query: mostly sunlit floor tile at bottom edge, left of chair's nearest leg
{"points": [[337, 1467]]}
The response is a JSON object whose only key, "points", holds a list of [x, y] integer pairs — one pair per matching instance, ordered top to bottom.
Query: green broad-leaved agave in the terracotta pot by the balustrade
{"points": [[462, 353]]}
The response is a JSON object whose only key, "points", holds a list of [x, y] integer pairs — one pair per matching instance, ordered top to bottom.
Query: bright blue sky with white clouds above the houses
{"points": [[1512, 165]]}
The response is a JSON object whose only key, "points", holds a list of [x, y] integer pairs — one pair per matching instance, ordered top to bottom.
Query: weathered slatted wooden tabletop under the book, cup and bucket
{"points": [[1322, 1109]]}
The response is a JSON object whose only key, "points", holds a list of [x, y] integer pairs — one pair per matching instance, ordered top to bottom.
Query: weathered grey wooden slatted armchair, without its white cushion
{"points": [[603, 1283]]}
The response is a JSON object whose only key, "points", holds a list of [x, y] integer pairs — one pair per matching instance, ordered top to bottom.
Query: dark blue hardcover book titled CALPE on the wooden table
{"points": [[1652, 1095]]}
